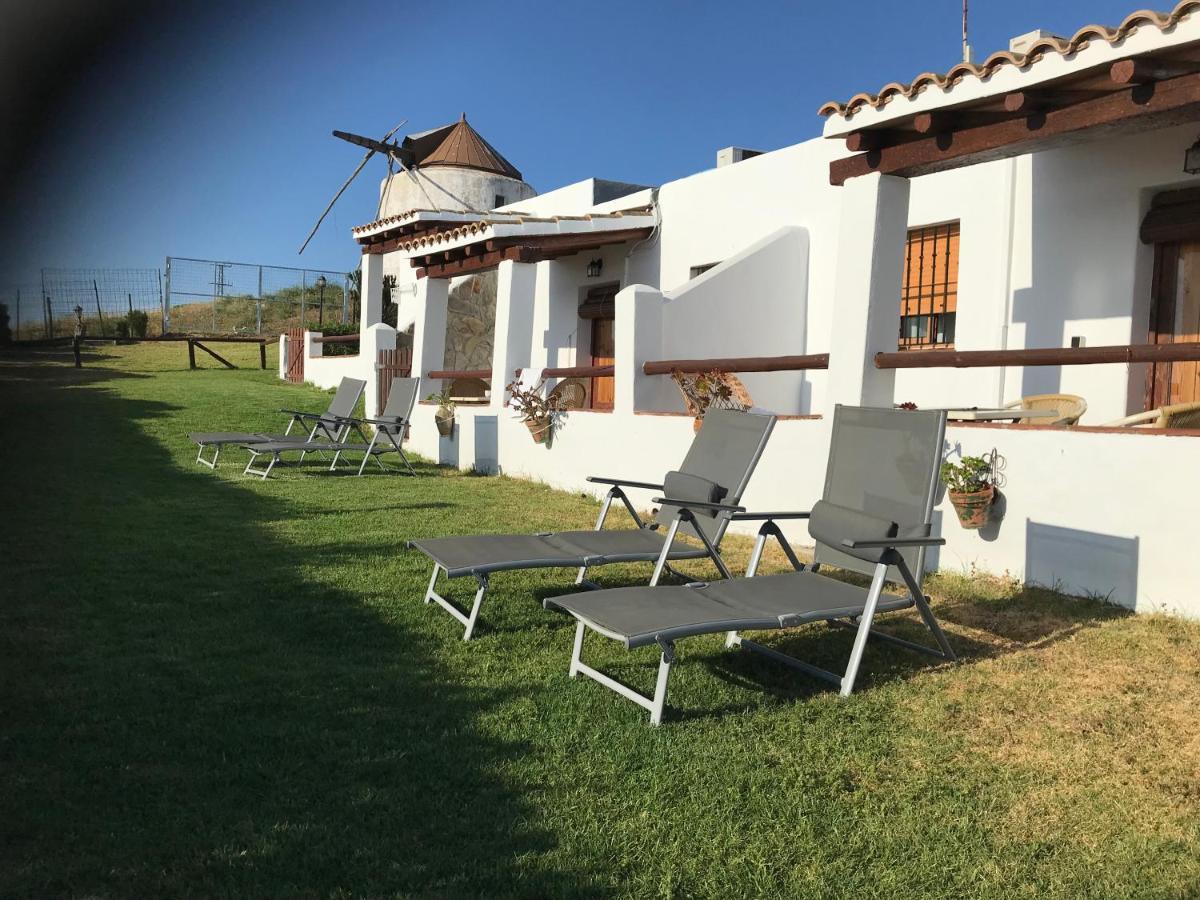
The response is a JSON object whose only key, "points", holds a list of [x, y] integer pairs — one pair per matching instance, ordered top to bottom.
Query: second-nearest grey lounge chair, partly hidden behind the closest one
{"points": [[718, 467]]}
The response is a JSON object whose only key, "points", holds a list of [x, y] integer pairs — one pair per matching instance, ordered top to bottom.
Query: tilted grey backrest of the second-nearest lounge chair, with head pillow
{"points": [[724, 453]]}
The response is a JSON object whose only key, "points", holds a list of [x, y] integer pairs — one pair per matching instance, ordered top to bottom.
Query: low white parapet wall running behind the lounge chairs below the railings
{"points": [[1081, 512]]}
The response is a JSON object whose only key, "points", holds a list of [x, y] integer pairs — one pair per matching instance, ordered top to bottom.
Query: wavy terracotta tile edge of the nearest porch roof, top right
{"points": [[1060, 46]]}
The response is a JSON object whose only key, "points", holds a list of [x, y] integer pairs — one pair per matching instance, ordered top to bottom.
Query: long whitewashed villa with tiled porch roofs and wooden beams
{"points": [[1037, 201]]}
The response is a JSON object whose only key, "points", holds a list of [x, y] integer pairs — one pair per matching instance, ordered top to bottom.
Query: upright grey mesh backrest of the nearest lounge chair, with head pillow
{"points": [[885, 464]]}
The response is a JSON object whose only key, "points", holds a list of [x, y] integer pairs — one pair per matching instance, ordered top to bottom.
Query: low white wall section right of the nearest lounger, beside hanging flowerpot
{"points": [[1087, 513]]}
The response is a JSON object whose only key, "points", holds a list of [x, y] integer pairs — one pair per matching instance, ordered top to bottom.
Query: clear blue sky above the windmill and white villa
{"points": [[213, 140]]}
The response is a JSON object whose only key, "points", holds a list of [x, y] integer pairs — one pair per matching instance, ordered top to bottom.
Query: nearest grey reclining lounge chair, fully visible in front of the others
{"points": [[875, 519]]}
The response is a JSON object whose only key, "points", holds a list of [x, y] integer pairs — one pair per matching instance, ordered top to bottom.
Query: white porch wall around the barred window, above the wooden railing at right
{"points": [[1077, 267]]}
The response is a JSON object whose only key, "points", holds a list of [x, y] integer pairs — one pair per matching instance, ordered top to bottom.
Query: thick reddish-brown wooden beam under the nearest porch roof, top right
{"points": [[1175, 101]]}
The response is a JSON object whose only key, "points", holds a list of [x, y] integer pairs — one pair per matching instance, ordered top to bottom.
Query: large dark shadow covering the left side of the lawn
{"points": [[184, 712]]}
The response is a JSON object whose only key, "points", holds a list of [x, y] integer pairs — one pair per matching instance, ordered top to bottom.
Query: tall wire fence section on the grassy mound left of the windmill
{"points": [[211, 297]]}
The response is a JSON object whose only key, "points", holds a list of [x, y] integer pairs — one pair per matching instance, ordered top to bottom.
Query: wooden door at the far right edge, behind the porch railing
{"points": [[1175, 319]]}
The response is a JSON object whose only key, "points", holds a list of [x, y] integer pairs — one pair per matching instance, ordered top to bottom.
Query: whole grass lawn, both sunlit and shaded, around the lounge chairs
{"points": [[214, 686]]}
